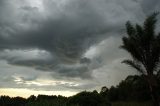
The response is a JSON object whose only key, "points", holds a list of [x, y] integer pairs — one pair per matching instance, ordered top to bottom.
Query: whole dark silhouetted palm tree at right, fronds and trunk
{"points": [[143, 44]]}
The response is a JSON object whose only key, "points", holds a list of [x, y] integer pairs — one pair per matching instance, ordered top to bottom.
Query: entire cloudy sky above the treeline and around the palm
{"points": [[61, 47]]}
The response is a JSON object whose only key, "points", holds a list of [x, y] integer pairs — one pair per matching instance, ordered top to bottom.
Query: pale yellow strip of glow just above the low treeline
{"points": [[13, 92]]}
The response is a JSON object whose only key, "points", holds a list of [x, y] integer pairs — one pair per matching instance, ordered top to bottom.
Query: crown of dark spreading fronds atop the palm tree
{"points": [[143, 45]]}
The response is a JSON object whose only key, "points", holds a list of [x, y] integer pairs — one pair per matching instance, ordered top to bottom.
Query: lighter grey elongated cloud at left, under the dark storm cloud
{"points": [[31, 58]]}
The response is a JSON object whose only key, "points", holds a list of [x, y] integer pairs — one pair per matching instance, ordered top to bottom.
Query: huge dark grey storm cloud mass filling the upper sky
{"points": [[64, 30]]}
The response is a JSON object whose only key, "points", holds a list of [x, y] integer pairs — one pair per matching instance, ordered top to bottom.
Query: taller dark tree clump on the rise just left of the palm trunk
{"points": [[133, 88]]}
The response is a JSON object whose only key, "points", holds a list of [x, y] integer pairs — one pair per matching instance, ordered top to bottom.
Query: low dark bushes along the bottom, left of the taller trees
{"points": [[81, 99]]}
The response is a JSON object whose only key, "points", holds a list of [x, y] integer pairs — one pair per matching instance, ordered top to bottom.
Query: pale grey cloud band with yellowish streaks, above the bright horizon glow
{"points": [[38, 80]]}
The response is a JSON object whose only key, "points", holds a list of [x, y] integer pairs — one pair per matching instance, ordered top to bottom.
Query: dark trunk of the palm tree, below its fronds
{"points": [[153, 85]]}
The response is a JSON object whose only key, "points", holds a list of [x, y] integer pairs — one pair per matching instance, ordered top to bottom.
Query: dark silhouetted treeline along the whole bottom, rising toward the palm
{"points": [[133, 91]]}
